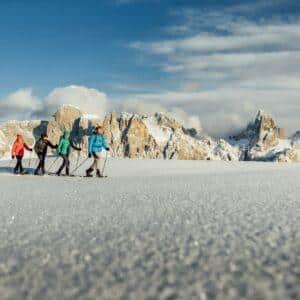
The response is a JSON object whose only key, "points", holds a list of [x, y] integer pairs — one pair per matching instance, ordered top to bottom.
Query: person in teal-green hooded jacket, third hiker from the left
{"points": [[64, 146]]}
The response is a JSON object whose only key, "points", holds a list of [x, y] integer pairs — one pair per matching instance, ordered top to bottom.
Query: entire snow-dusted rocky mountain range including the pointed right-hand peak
{"points": [[158, 137]]}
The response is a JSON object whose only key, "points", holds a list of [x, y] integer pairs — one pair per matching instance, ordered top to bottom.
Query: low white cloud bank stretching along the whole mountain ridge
{"points": [[218, 111]]}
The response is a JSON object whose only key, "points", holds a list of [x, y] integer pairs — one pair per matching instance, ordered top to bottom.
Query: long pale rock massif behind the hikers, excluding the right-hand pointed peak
{"points": [[129, 135]]}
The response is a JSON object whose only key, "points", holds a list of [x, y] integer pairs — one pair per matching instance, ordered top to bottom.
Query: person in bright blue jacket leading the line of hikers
{"points": [[97, 143]]}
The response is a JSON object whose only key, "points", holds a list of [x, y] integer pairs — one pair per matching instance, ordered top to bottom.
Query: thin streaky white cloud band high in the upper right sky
{"points": [[242, 35]]}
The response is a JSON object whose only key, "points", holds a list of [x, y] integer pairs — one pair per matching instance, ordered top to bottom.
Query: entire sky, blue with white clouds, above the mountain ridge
{"points": [[212, 64]]}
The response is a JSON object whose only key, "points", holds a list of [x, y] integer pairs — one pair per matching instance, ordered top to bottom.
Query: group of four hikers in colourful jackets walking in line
{"points": [[97, 143]]}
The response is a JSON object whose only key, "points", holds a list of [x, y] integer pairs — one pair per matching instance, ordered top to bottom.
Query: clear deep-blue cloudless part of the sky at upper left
{"points": [[45, 44]]}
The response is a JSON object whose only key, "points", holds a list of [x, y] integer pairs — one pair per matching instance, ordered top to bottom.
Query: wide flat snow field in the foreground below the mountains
{"points": [[152, 230]]}
